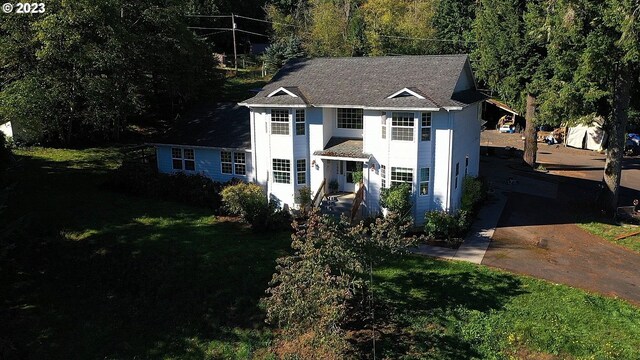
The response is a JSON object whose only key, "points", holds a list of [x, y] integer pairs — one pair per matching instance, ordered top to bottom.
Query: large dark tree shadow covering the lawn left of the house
{"points": [[104, 275]]}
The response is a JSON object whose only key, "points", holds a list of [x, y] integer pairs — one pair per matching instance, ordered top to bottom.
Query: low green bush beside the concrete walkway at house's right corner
{"points": [[445, 225]]}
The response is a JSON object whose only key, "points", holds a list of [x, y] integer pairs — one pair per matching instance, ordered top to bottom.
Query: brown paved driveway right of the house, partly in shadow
{"points": [[536, 234]]}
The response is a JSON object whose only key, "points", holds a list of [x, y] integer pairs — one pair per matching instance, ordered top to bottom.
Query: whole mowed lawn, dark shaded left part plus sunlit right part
{"points": [[93, 274]]}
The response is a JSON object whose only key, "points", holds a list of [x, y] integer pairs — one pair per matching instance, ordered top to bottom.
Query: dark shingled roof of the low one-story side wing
{"points": [[224, 125]]}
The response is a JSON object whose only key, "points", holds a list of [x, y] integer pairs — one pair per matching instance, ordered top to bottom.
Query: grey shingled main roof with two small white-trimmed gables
{"points": [[368, 81]]}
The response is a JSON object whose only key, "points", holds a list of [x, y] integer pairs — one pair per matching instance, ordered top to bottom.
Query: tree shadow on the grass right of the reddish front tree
{"points": [[419, 302]]}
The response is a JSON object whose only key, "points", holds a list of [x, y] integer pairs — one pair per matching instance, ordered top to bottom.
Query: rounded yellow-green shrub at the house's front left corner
{"points": [[249, 202]]}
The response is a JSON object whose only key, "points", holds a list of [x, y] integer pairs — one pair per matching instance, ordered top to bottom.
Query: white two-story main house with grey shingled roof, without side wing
{"points": [[413, 119]]}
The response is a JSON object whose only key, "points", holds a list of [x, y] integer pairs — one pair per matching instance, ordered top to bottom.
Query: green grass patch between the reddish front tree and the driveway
{"points": [[448, 310]]}
